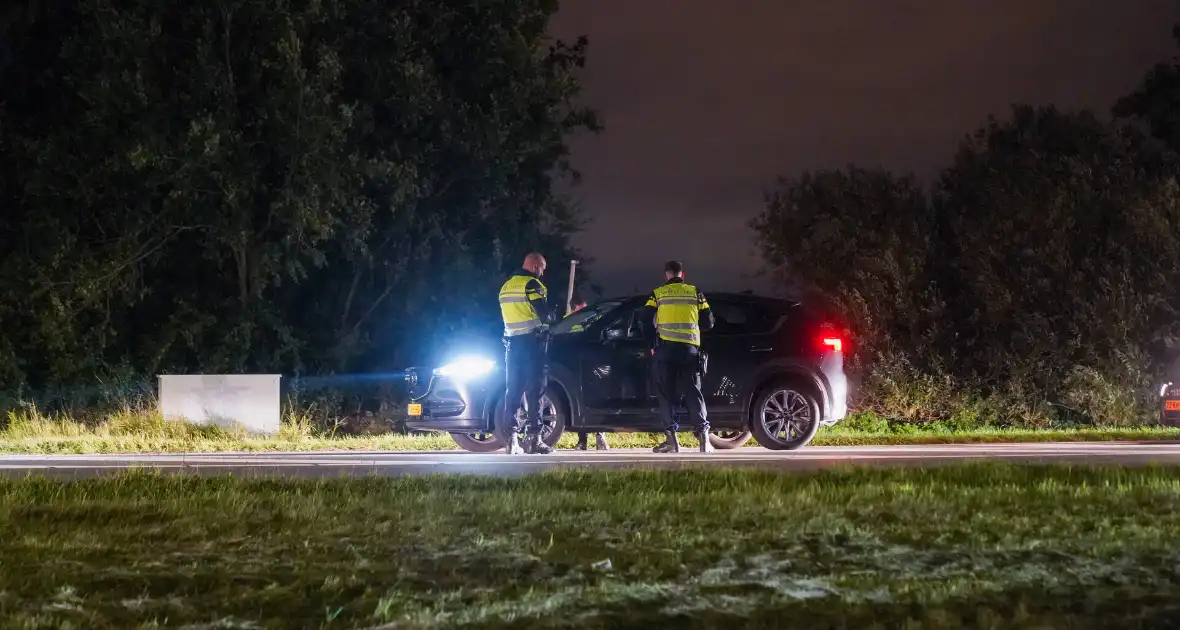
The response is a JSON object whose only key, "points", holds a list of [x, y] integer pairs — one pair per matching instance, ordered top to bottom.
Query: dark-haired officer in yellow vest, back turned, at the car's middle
{"points": [[679, 314]]}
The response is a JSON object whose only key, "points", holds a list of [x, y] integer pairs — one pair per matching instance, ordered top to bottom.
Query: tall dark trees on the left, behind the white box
{"points": [[306, 187]]}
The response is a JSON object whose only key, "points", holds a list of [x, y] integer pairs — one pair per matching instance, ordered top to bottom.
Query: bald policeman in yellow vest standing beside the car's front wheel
{"points": [[527, 317]]}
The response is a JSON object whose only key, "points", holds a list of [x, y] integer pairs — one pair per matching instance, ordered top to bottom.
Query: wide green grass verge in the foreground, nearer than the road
{"points": [[966, 547]]}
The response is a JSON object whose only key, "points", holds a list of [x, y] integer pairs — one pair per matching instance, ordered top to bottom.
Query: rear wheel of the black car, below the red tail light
{"points": [[795, 426]]}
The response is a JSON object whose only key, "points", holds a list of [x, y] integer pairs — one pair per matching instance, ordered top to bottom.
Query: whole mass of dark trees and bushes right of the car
{"points": [[1037, 280]]}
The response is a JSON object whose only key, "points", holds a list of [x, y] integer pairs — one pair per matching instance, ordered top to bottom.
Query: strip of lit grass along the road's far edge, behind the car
{"points": [[137, 432]]}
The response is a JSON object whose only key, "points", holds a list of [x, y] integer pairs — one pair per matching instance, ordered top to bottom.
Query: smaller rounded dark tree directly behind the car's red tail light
{"points": [[858, 241]]}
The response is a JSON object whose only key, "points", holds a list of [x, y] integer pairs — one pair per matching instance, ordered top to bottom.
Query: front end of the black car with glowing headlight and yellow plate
{"points": [[450, 405]]}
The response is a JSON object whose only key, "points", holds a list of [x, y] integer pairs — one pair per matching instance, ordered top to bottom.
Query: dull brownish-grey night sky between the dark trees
{"points": [[707, 101]]}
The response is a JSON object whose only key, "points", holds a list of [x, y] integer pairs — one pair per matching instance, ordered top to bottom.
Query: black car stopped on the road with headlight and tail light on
{"points": [[776, 371]]}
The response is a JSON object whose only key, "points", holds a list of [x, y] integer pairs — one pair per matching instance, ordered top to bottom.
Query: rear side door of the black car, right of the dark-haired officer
{"points": [[740, 333]]}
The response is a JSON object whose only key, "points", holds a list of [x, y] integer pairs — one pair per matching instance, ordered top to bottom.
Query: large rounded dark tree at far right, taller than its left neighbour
{"points": [[1061, 250]]}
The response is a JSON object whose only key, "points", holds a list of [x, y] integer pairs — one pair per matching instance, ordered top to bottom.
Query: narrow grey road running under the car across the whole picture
{"points": [[335, 464]]}
